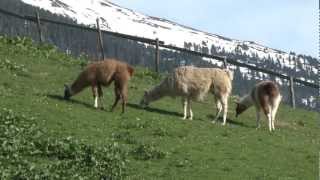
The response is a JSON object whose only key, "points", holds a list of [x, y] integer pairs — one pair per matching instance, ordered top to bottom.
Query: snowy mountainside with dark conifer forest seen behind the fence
{"points": [[119, 19]]}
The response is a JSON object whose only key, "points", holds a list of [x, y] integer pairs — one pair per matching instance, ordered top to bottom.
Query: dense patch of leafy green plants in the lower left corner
{"points": [[22, 143]]}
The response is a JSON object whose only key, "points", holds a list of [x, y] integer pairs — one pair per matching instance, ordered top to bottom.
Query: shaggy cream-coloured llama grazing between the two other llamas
{"points": [[193, 83]]}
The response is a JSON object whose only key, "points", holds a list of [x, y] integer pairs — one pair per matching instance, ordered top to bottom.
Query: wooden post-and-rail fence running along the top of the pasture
{"points": [[84, 40]]}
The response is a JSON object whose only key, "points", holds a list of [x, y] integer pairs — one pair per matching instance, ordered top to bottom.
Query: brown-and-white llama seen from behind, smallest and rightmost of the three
{"points": [[266, 97]]}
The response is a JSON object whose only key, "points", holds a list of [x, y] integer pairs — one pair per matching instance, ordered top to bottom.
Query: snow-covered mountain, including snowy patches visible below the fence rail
{"points": [[118, 19]]}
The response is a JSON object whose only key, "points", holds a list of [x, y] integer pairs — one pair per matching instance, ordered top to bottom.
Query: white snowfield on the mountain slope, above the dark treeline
{"points": [[123, 20]]}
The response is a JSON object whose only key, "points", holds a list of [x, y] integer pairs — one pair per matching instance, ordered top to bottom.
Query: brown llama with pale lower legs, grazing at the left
{"points": [[103, 73]]}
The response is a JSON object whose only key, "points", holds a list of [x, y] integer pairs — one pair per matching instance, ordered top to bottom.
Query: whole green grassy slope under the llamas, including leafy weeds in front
{"points": [[154, 143]]}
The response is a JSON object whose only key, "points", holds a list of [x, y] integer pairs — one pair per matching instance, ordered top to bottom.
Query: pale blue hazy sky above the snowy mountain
{"points": [[289, 25]]}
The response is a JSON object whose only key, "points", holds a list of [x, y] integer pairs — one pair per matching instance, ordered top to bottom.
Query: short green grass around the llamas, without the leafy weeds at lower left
{"points": [[194, 149]]}
